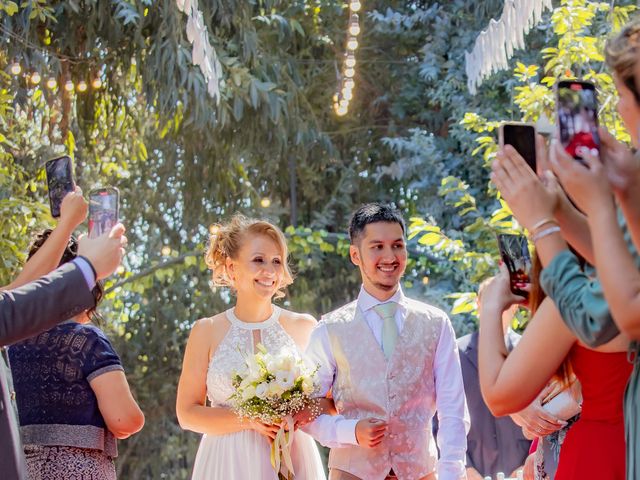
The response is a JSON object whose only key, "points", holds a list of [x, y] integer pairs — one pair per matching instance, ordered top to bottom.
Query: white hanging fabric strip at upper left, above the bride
{"points": [[202, 53]]}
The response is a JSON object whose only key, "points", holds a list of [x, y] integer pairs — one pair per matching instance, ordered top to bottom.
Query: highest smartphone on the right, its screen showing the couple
{"points": [[577, 108]]}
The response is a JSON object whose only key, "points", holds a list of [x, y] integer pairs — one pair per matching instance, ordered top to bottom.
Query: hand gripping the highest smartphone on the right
{"points": [[588, 186]]}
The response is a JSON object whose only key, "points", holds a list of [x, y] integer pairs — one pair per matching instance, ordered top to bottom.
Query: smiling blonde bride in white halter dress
{"points": [[250, 256]]}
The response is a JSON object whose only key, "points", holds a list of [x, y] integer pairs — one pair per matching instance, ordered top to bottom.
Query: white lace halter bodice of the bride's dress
{"points": [[237, 343]]}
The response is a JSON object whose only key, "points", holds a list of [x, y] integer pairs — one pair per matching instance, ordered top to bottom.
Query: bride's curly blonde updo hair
{"points": [[226, 241]]}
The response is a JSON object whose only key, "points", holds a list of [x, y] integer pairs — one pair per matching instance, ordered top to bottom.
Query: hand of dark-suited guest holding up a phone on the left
{"points": [[104, 252]]}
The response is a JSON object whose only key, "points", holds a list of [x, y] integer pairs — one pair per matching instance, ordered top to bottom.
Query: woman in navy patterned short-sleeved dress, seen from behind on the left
{"points": [[72, 395]]}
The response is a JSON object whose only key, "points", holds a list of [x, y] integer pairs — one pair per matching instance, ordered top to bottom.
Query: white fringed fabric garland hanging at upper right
{"points": [[495, 45]]}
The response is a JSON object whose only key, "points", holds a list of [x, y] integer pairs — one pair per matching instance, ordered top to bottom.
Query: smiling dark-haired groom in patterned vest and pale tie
{"points": [[390, 363]]}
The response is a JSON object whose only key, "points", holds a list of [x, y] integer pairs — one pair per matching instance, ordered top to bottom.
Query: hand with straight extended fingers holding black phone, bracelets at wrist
{"points": [[529, 199]]}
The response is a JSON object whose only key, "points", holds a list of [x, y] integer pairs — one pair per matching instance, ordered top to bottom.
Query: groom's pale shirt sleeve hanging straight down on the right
{"points": [[451, 405]]}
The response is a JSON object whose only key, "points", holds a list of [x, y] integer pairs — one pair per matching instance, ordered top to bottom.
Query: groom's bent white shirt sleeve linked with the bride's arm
{"points": [[332, 431]]}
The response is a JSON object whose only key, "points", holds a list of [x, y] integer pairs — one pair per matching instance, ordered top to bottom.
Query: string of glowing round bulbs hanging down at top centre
{"points": [[346, 84]]}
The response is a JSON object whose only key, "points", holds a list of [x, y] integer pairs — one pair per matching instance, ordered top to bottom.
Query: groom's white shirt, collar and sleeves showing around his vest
{"points": [[453, 416]]}
